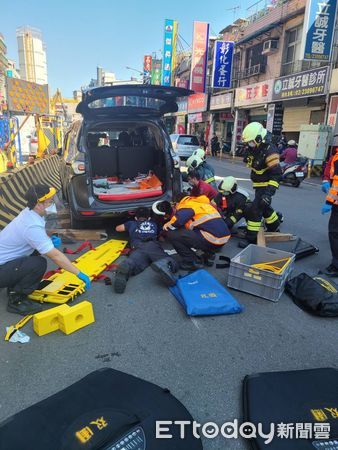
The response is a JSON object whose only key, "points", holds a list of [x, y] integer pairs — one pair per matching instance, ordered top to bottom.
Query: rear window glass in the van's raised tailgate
{"points": [[128, 100]]}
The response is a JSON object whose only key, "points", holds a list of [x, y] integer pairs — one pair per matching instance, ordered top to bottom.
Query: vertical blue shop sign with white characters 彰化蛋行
{"points": [[222, 67]]}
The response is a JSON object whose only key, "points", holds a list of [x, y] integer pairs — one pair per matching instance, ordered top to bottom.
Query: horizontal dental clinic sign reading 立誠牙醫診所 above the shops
{"points": [[303, 84]]}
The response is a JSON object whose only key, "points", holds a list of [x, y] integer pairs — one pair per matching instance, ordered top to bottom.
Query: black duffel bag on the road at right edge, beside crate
{"points": [[315, 295]]}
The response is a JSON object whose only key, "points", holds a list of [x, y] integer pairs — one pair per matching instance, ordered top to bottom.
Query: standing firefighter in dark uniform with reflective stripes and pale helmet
{"points": [[263, 159]]}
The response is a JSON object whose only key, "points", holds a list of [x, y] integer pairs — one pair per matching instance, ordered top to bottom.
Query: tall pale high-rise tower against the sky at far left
{"points": [[32, 55]]}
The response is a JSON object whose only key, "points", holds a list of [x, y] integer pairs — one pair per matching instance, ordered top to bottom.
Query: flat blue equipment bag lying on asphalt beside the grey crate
{"points": [[201, 294]]}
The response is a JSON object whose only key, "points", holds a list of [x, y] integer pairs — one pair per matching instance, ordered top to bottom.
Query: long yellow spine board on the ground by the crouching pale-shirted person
{"points": [[64, 286]]}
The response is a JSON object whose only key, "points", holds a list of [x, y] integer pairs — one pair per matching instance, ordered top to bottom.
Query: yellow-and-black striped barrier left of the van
{"points": [[14, 185]]}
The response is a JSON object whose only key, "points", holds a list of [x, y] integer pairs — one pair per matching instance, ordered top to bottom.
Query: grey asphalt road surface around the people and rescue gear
{"points": [[202, 361]]}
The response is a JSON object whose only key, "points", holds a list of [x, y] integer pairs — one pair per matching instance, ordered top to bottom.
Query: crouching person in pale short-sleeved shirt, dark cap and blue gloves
{"points": [[22, 242]]}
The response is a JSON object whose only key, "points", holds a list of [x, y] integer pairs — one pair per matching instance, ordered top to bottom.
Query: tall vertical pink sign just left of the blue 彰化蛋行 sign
{"points": [[199, 57]]}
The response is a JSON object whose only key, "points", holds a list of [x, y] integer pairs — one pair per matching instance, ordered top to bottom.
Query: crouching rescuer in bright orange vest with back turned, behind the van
{"points": [[196, 224]]}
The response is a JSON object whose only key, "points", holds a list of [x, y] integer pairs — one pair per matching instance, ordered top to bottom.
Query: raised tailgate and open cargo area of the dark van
{"points": [[125, 144]]}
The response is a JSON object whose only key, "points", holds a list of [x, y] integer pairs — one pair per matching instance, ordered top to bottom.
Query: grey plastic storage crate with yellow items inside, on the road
{"points": [[261, 283]]}
